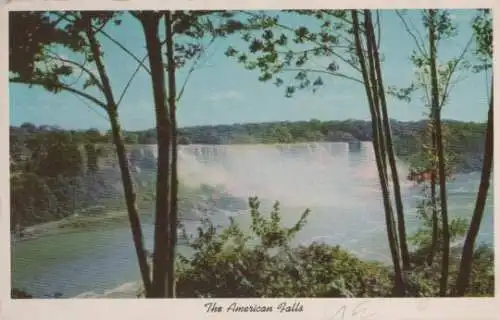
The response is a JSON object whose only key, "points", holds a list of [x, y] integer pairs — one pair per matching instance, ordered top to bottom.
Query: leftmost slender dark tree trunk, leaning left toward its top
{"points": [[128, 186]]}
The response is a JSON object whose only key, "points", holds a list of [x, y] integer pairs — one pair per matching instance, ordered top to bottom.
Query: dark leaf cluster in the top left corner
{"points": [[35, 53]]}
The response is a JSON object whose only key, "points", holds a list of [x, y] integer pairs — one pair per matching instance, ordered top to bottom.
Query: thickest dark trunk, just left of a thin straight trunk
{"points": [[161, 258]]}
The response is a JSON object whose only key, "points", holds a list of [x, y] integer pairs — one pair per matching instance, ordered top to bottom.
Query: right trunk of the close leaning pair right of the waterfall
{"points": [[405, 256]]}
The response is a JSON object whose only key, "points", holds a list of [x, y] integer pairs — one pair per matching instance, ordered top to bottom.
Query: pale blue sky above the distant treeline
{"points": [[220, 91]]}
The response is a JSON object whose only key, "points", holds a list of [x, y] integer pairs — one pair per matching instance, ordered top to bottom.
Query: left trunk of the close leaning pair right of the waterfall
{"points": [[376, 143]]}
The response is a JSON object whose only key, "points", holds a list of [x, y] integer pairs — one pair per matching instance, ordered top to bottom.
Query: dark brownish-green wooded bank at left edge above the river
{"points": [[56, 174]]}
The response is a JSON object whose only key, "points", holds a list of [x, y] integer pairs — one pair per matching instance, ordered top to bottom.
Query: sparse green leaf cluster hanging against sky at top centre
{"points": [[276, 49]]}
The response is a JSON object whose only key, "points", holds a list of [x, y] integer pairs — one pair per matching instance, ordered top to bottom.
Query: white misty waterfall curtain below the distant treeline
{"points": [[309, 174]]}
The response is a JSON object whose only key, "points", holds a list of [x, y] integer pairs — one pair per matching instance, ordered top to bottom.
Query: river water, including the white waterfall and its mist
{"points": [[337, 181]]}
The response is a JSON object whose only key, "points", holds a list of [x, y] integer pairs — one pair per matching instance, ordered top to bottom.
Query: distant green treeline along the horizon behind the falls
{"points": [[465, 138]]}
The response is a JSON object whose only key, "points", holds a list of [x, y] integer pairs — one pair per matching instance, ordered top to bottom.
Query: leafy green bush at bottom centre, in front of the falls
{"points": [[261, 263]]}
